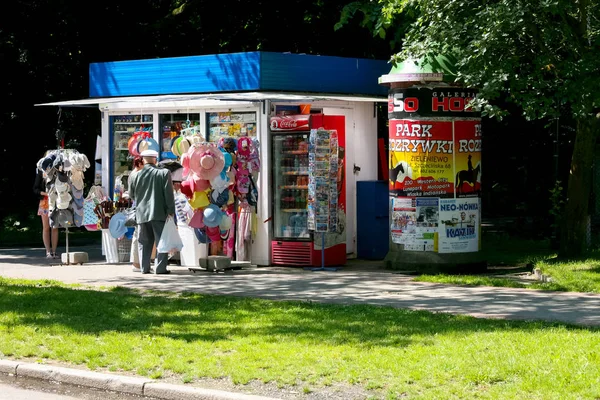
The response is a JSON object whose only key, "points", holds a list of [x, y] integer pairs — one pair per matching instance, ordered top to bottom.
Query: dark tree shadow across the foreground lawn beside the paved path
{"points": [[194, 317]]}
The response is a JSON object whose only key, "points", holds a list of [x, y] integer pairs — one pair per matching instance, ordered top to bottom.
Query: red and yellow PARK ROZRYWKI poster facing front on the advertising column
{"points": [[421, 161]]}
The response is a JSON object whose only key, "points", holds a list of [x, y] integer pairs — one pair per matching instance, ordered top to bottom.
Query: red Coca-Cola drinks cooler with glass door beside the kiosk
{"points": [[293, 244]]}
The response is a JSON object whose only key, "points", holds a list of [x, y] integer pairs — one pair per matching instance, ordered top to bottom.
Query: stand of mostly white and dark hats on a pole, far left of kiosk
{"points": [[64, 170]]}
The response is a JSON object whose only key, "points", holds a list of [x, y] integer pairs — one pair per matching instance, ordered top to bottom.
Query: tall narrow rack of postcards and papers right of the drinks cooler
{"points": [[322, 180]]}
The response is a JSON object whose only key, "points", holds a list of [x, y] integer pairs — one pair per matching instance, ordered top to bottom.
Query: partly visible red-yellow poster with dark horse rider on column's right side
{"points": [[467, 157]]}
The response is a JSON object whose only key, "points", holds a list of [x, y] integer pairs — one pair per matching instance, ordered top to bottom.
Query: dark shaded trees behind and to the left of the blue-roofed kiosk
{"points": [[46, 48]]}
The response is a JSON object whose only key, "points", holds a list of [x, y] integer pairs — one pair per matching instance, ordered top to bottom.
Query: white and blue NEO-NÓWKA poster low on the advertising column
{"points": [[459, 225]]}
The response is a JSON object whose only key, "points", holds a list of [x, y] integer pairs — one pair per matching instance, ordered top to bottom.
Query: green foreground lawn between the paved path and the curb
{"points": [[389, 353]]}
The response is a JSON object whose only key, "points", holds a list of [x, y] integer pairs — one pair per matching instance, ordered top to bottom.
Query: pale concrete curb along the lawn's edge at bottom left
{"points": [[118, 383]]}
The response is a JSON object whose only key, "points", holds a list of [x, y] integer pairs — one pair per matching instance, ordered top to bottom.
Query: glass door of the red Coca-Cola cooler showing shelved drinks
{"points": [[290, 186]]}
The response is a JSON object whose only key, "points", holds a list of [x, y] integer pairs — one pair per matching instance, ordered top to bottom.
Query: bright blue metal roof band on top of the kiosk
{"points": [[238, 72]]}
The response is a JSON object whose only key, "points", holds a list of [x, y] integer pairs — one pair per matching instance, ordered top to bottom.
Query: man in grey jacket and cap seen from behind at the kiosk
{"points": [[152, 190]]}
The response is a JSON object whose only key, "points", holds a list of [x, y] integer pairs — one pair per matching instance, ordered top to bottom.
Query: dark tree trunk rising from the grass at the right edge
{"points": [[574, 224]]}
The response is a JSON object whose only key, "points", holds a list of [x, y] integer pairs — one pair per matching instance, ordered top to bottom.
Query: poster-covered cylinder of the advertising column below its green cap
{"points": [[434, 176]]}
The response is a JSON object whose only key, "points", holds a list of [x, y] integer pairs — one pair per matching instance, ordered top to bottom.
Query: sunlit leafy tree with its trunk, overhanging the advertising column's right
{"points": [[541, 55]]}
